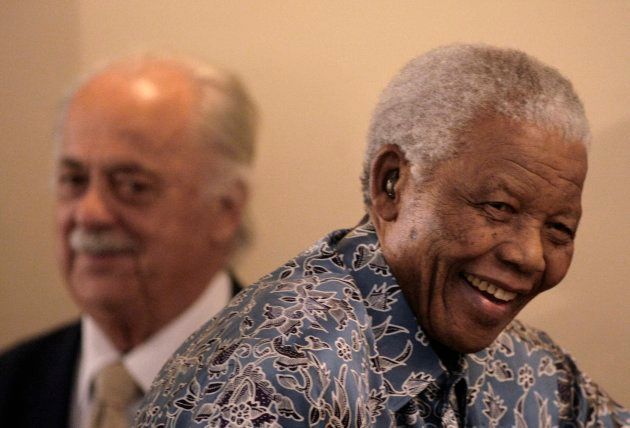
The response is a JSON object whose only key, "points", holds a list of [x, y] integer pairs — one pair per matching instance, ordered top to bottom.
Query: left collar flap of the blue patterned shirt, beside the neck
{"points": [[403, 353]]}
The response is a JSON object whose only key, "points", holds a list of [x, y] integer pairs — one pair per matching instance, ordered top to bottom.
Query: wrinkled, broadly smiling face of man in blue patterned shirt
{"points": [[491, 229]]}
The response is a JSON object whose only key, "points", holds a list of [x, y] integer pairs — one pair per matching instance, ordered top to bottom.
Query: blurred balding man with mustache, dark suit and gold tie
{"points": [[151, 190]]}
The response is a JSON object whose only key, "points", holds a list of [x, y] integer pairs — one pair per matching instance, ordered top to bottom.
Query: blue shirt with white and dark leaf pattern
{"points": [[329, 340]]}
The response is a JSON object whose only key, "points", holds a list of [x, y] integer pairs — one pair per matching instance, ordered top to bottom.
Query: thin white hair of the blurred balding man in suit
{"points": [[225, 118]]}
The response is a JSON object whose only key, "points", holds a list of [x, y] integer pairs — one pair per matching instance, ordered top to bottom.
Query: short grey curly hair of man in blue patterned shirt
{"points": [[435, 97]]}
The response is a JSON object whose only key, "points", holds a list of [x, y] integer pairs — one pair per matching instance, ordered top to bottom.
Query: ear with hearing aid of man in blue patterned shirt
{"points": [[388, 174]]}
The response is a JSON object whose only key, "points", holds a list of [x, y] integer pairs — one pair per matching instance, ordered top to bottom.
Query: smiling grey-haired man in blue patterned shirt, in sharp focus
{"points": [[474, 169]]}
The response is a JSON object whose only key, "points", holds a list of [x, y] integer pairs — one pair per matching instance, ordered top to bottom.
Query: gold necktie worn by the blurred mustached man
{"points": [[114, 391]]}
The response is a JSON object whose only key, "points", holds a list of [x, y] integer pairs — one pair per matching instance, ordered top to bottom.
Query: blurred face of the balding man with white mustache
{"points": [[135, 225]]}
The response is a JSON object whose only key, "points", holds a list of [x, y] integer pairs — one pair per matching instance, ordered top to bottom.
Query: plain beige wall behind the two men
{"points": [[316, 68]]}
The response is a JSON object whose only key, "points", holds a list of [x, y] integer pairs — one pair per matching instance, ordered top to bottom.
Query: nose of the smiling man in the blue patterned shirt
{"points": [[524, 250]]}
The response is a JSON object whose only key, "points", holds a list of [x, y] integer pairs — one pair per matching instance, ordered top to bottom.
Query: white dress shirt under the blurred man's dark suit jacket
{"points": [[145, 360]]}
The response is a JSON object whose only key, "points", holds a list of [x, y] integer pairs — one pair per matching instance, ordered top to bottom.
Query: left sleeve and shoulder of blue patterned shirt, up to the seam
{"points": [[291, 349]]}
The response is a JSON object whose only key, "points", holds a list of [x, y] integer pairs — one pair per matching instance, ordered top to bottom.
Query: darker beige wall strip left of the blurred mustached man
{"points": [[39, 54]]}
